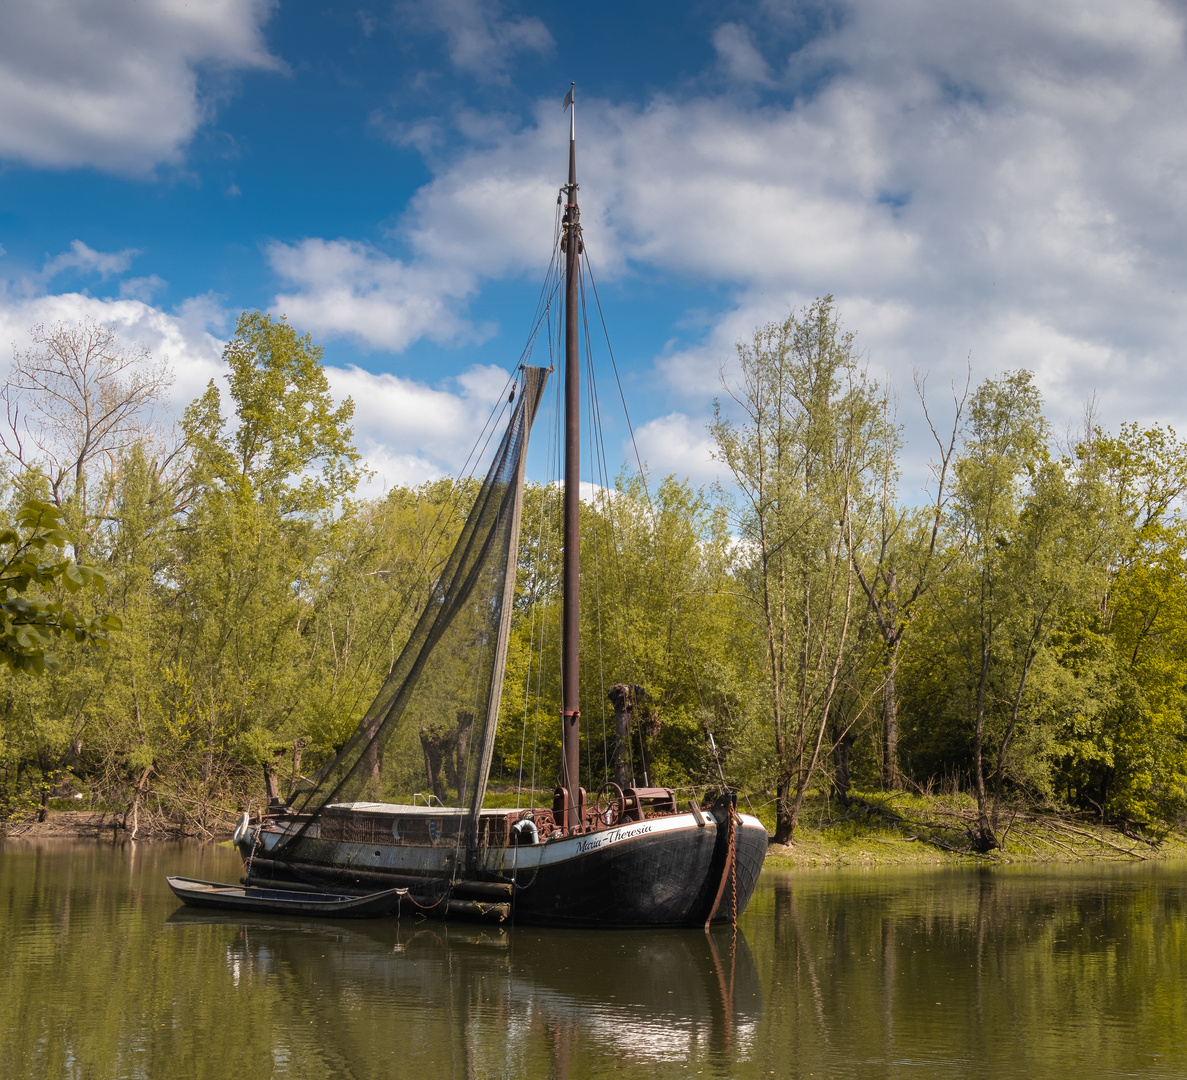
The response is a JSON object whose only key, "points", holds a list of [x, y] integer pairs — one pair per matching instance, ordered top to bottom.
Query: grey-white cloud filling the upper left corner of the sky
{"points": [[116, 84]]}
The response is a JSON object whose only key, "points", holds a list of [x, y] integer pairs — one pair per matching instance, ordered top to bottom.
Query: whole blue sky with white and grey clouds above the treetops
{"points": [[1001, 186]]}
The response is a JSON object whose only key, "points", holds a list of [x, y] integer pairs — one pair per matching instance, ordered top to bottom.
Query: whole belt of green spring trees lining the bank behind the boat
{"points": [[1021, 639]]}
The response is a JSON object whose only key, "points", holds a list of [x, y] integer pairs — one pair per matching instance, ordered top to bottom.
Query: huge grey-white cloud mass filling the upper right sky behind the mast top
{"points": [[1006, 183]]}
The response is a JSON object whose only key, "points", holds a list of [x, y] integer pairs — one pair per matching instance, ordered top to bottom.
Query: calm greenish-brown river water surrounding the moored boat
{"points": [[890, 974]]}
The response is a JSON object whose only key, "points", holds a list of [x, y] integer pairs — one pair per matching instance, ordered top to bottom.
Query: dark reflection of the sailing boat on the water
{"points": [[504, 1002]]}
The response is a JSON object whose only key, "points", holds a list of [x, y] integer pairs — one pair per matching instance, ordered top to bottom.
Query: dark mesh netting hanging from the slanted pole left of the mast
{"points": [[431, 727]]}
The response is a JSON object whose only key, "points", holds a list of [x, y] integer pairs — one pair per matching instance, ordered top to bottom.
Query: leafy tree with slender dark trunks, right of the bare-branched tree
{"points": [[1032, 535]]}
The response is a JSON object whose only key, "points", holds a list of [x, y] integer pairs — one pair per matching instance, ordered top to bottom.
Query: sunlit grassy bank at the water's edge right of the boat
{"points": [[900, 829]]}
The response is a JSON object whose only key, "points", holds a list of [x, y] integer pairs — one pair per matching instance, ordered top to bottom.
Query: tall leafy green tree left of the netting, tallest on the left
{"points": [[252, 557]]}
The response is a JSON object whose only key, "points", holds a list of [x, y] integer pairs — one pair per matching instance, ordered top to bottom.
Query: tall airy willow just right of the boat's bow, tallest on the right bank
{"points": [[805, 436]]}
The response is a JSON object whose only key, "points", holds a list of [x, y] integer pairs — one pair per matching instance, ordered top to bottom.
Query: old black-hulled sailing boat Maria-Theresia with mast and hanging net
{"points": [[630, 857]]}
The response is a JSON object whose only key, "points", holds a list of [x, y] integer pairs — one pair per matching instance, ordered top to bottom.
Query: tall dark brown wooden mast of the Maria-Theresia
{"points": [[570, 701]]}
